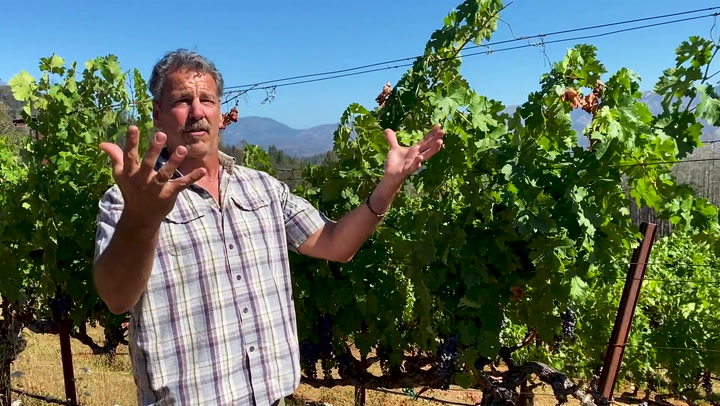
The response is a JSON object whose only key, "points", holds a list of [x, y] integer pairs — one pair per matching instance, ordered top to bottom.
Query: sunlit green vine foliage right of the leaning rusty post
{"points": [[678, 309]]}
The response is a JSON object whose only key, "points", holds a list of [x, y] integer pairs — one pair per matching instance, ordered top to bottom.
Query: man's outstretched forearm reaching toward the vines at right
{"points": [[347, 235]]}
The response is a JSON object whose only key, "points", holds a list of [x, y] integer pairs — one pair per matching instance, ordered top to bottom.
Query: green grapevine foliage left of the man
{"points": [[51, 194]]}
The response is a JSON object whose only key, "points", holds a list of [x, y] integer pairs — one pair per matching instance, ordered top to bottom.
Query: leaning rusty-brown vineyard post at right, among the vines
{"points": [[626, 312]]}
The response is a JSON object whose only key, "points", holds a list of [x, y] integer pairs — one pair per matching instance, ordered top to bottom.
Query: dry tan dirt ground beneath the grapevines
{"points": [[37, 374]]}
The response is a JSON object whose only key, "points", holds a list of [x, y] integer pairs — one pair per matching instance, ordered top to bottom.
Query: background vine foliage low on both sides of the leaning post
{"points": [[675, 336]]}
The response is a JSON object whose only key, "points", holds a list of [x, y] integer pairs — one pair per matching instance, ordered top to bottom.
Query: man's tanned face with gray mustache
{"points": [[189, 113]]}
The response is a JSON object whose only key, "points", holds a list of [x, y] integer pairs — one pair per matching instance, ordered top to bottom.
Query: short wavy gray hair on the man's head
{"points": [[182, 59]]}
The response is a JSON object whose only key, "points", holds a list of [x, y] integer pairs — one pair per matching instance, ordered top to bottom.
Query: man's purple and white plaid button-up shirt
{"points": [[216, 325]]}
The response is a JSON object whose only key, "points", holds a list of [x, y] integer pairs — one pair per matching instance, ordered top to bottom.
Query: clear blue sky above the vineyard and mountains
{"points": [[254, 41]]}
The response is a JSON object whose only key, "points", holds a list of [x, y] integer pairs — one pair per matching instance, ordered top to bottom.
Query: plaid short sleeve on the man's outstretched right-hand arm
{"points": [[302, 219]]}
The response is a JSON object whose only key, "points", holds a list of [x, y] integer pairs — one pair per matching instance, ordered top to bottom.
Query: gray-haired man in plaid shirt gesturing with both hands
{"points": [[195, 247]]}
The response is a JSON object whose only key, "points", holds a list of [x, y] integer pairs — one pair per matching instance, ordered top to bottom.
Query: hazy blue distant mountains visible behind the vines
{"points": [[265, 131]]}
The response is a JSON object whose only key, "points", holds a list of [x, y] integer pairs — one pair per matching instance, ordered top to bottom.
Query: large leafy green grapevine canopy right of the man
{"points": [[513, 222]]}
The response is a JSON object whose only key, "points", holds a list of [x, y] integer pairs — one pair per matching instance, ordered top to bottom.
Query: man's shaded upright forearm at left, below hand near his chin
{"points": [[123, 269]]}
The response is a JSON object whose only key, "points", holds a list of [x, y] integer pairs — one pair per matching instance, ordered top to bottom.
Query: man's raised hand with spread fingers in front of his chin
{"points": [[148, 195]]}
